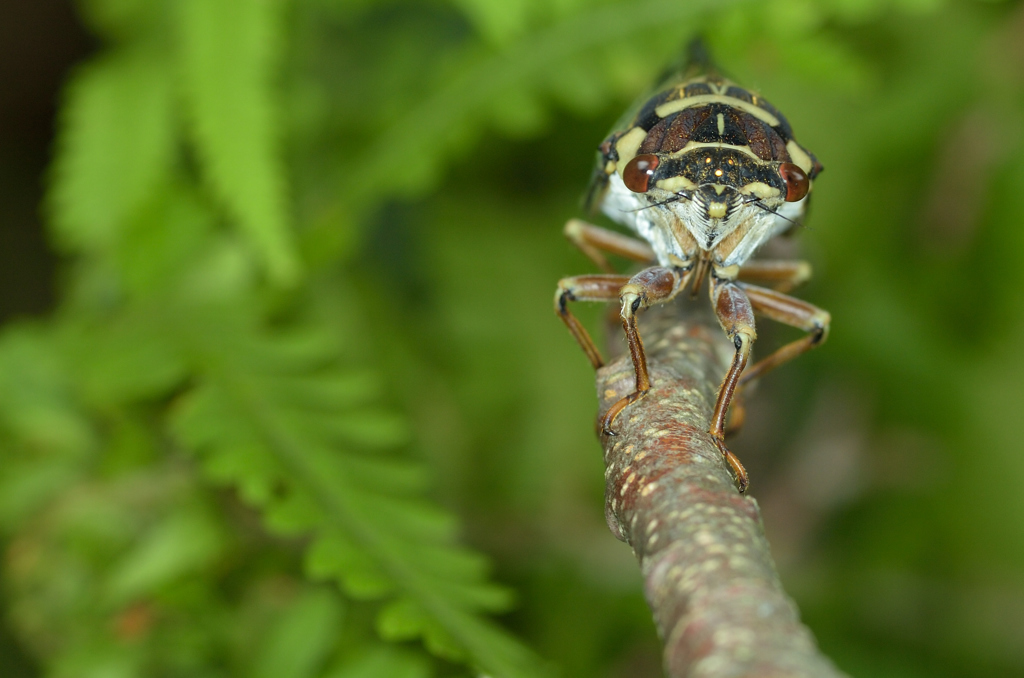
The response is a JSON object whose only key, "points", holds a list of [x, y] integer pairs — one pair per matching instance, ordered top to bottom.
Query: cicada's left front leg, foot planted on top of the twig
{"points": [[652, 286]]}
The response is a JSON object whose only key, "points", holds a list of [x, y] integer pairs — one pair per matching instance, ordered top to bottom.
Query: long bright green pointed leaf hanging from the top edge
{"points": [[229, 54]]}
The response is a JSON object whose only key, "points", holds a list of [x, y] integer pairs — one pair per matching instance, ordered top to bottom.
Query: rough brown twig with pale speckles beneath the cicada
{"points": [[709, 576]]}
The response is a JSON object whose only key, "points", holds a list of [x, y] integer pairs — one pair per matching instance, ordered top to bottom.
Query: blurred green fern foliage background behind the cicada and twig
{"points": [[281, 390]]}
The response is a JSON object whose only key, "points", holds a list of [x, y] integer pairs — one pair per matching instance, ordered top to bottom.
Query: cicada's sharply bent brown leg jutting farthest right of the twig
{"points": [[795, 313]]}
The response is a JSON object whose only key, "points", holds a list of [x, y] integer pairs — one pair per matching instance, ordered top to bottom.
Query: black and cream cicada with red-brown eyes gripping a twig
{"points": [[705, 173]]}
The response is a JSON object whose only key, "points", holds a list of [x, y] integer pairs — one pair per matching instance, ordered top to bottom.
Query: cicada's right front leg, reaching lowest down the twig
{"points": [[736, 315]]}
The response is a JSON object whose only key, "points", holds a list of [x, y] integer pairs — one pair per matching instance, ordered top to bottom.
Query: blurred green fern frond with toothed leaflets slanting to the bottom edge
{"points": [[319, 472]]}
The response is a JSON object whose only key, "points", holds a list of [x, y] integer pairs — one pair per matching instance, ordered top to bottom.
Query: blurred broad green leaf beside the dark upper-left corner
{"points": [[115, 147]]}
